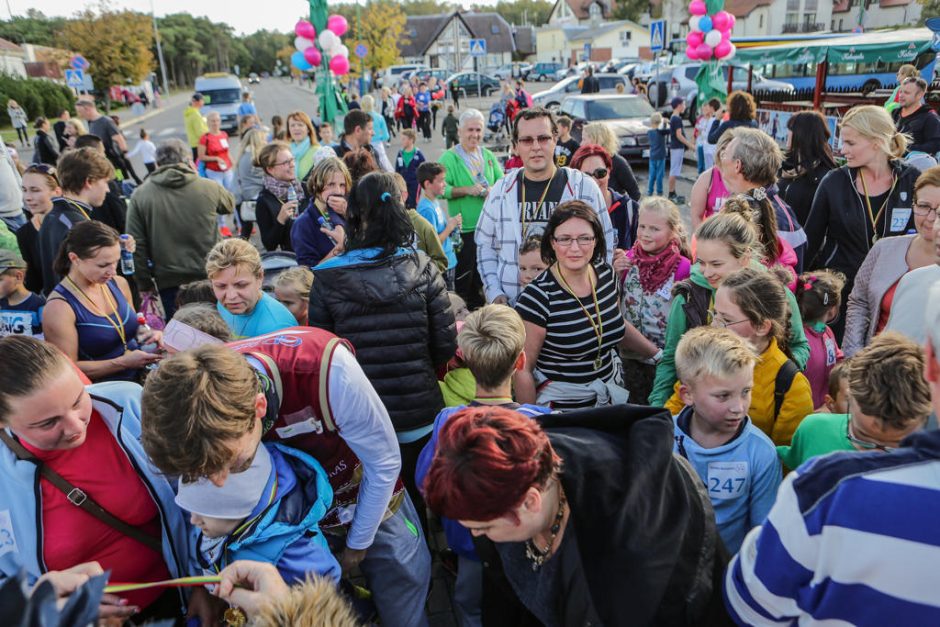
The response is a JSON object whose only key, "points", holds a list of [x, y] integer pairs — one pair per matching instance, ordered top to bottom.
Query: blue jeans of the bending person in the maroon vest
{"points": [[398, 569]]}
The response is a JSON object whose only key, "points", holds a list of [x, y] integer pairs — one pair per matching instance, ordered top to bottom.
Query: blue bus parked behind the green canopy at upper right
{"points": [[856, 63]]}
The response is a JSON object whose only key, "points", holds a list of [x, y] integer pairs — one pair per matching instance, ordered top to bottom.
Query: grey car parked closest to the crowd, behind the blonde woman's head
{"points": [[627, 115]]}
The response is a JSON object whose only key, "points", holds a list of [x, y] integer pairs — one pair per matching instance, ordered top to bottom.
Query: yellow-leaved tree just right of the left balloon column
{"points": [[381, 28]]}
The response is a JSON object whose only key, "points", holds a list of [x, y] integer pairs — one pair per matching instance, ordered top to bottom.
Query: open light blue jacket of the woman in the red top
{"points": [[118, 403]]}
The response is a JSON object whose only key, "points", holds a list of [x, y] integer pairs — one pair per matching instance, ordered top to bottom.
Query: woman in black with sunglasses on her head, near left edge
{"points": [[40, 186]]}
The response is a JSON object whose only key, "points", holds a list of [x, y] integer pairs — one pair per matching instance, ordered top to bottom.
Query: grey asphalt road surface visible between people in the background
{"points": [[276, 96]]}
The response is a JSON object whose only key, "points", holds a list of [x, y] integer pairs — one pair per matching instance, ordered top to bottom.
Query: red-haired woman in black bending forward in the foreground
{"points": [[580, 518]]}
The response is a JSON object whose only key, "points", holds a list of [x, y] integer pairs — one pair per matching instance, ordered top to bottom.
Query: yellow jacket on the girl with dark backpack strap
{"points": [[797, 402]]}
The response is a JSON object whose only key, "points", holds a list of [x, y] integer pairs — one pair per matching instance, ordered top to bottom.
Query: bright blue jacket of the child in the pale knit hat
{"points": [[286, 532]]}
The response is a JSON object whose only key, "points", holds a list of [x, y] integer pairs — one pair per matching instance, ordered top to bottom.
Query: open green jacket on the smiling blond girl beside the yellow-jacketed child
{"points": [[677, 325]]}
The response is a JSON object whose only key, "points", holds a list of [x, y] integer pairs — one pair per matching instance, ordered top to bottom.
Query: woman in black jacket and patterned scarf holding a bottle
{"points": [[276, 207]]}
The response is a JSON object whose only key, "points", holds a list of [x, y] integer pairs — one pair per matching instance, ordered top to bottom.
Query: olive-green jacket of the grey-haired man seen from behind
{"points": [[172, 215]]}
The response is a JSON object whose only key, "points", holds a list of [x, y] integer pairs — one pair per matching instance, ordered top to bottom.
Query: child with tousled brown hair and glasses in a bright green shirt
{"points": [[889, 399]]}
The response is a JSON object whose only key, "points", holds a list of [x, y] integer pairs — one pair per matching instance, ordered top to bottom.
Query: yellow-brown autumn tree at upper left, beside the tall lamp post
{"points": [[116, 43]]}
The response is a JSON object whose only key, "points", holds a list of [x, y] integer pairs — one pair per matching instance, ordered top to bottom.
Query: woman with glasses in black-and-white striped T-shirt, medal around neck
{"points": [[572, 319]]}
